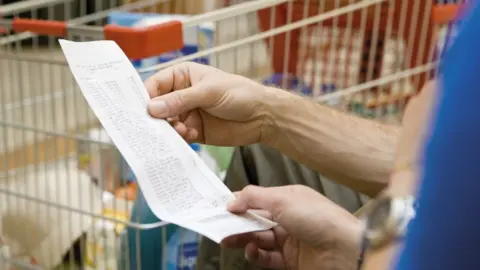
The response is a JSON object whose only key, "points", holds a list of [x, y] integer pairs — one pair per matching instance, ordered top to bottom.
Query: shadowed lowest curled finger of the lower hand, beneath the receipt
{"points": [[263, 258]]}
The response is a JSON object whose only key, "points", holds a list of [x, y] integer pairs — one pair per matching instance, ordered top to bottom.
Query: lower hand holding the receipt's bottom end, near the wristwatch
{"points": [[313, 232]]}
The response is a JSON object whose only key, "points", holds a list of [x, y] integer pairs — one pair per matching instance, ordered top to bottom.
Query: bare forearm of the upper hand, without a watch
{"points": [[353, 151]]}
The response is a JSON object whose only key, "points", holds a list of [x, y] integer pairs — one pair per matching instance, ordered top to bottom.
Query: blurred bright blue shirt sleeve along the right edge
{"points": [[446, 231]]}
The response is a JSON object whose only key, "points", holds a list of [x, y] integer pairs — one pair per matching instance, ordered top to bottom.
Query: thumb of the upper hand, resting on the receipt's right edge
{"points": [[176, 102]]}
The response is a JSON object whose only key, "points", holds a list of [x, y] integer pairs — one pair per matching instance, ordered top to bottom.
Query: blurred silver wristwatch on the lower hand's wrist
{"points": [[386, 221]]}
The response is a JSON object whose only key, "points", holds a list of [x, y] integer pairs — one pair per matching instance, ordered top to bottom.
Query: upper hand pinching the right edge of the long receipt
{"points": [[207, 105]]}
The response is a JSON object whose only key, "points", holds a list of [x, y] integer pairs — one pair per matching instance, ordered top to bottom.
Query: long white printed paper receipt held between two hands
{"points": [[177, 185]]}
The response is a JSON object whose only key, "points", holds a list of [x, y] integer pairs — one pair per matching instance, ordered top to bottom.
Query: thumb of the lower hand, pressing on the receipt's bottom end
{"points": [[271, 199]]}
